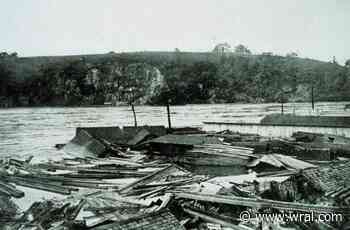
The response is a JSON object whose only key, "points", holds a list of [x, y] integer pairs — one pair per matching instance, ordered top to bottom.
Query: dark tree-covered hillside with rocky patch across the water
{"points": [[178, 77]]}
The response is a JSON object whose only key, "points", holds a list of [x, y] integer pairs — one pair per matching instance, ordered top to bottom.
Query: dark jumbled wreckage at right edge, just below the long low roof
{"points": [[304, 145]]}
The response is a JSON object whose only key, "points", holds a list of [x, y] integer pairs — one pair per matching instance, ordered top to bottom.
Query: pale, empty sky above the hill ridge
{"points": [[317, 29]]}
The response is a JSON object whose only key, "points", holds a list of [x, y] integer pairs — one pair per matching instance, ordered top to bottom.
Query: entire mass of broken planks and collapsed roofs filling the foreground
{"points": [[147, 178]]}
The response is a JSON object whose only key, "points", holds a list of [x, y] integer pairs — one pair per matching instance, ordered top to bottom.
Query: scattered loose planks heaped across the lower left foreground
{"points": [[93, 198]]}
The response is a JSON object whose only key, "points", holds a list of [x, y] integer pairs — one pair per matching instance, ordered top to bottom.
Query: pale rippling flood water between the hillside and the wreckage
{"points": [[35, 131]]}
